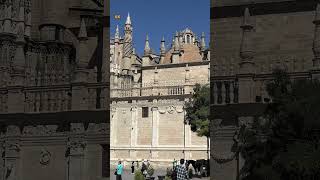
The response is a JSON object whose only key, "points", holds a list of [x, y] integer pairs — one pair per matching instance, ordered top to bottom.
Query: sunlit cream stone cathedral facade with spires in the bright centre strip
{"points": [[148, 94]]}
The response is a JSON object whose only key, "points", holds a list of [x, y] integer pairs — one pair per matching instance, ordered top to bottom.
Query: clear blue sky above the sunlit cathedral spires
{"points": [[159, 18]]}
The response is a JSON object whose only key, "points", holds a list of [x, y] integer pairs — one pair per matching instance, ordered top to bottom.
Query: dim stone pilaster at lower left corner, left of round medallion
{"points": [[12, 153]]}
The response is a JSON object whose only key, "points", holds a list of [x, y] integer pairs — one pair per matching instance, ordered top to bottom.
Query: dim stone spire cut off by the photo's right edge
{"points": [[316, 40]]}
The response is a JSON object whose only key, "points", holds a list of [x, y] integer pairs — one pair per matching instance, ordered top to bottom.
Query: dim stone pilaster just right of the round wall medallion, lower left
{"points": [[76, 146]]}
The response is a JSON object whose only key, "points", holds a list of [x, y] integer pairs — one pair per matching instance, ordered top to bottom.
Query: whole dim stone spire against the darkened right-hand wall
{"points": [[246, 49]]}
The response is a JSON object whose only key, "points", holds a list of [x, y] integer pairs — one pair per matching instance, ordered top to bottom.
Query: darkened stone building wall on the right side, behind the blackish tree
{"points": [[249, 40]]}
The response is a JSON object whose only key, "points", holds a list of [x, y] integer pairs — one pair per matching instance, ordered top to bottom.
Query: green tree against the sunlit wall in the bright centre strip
{"points": [[198, 109]]}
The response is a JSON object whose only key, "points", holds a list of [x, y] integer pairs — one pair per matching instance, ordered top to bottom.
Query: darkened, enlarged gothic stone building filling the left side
{"points": [[53, 90]]}
